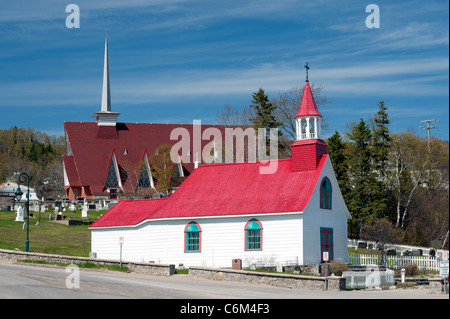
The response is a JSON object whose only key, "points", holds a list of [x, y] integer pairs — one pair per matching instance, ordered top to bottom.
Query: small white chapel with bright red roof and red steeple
{"points": [[231, 211]]}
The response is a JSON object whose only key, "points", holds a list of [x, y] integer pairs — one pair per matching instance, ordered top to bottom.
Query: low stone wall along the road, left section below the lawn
{"points": [[145, 268]]}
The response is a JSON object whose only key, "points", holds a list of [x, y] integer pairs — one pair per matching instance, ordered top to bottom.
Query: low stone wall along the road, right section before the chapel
{"points": [[335, 283]]}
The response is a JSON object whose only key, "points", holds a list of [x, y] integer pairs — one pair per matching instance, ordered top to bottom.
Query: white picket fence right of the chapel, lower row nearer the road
{"points": [[396, 262]]}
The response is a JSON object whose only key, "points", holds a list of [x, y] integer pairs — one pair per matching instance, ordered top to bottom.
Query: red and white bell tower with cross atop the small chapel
{"points": [[308, 146]]}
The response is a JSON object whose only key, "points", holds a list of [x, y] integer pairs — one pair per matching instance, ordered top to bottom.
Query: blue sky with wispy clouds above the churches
{"points": [[173, 61]]}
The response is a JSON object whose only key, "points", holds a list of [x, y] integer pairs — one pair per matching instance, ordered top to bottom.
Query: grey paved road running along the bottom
{"points": [[51, 282]]}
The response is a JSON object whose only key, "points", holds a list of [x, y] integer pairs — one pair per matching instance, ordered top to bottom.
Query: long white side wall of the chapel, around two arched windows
{"points": [[222, 239]]}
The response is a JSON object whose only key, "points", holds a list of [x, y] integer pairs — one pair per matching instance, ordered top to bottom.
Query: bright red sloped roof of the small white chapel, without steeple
{"points": [[223, 189]]}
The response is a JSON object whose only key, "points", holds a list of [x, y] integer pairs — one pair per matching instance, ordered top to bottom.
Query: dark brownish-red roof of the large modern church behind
{"points": [[92, 147]]}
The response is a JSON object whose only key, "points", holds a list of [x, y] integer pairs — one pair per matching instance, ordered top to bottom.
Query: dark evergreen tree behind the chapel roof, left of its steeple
{"points": [[265, 116]]}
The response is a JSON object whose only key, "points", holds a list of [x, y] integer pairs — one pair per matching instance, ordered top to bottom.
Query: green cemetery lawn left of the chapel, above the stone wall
{"points": [[48, 237]]}
